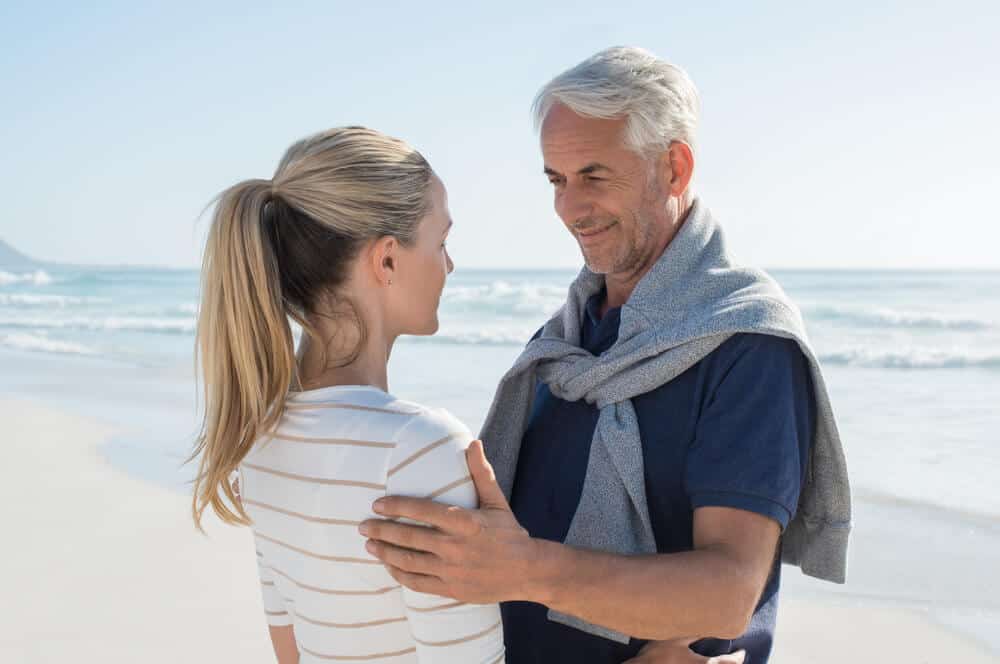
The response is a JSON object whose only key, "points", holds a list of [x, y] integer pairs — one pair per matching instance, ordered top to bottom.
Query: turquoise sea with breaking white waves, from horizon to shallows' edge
{"points": [[890, 320]]}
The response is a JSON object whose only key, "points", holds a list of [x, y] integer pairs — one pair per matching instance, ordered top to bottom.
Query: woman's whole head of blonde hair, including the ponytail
{"points": [[275, 249]]}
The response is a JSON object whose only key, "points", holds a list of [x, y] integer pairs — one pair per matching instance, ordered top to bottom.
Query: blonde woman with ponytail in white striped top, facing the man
{"points": [[348, 241]]}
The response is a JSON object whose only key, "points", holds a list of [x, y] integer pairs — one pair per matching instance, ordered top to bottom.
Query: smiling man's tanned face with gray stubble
{"points": [[608, 196]]}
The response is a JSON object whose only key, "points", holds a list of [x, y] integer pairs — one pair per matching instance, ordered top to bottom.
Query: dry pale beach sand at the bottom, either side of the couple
{"points": [[108, 568]]}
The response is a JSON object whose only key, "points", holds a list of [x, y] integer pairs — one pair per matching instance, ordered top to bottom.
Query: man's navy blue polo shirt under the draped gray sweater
{"points": [[734, 430]]}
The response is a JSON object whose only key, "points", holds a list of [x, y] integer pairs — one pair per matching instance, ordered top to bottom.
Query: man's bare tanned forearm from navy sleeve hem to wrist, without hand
{"points": [[711, 591]]}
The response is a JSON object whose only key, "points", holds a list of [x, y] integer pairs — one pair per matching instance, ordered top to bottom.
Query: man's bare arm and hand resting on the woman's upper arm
{"points": [[485, 556]]}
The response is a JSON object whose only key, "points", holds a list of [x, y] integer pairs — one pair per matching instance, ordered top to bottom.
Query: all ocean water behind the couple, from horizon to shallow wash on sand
{"points": [[912, 360]]}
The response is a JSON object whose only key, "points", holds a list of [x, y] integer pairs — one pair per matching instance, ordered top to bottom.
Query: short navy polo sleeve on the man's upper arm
{"points": [[753, 436]]}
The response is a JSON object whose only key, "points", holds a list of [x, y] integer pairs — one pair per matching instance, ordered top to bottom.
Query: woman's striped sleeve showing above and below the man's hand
{"points": [[429, 462]]}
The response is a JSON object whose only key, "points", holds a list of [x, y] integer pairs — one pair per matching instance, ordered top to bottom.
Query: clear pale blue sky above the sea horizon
{"points": [[848, 134]]}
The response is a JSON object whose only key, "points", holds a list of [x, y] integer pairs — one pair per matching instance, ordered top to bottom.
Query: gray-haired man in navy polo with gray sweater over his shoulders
{"points": [[663, 439]]}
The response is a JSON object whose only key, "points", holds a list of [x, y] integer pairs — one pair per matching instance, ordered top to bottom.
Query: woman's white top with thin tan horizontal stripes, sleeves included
{"points": [[307, 489]]}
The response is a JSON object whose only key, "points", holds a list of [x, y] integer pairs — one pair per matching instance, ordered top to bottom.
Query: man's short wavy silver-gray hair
{"points": [[658, 100]]}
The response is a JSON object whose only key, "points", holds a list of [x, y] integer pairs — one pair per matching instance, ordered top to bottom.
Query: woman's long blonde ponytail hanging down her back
{"points": [[244, 344]]}
